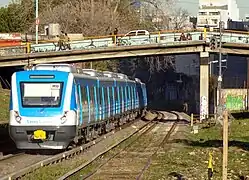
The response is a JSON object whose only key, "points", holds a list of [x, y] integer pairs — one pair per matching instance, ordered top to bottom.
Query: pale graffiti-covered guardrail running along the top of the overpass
{"points": [[108, 41]]}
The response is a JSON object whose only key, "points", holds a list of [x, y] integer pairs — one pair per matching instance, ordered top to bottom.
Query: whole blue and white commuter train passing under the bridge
{"points": [[55, 105]]}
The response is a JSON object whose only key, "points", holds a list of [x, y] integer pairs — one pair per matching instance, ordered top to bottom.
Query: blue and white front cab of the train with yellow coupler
{"points": [[42, 110]]}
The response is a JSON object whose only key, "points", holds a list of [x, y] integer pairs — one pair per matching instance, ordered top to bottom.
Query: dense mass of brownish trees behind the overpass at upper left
{"points": [[19, 16]]}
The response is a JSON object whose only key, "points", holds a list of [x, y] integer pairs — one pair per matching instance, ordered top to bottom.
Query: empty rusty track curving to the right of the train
{"points": [[76, 173]]}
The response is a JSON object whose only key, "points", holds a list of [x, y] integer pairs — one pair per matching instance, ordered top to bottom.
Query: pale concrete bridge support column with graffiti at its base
{"points": [[204, 85]]}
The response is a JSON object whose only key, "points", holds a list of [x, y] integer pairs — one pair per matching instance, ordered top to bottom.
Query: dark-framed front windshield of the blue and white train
{"points": [[41, 94]]}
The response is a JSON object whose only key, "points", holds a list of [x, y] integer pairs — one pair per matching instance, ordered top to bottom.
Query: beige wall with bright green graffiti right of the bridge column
{"points": [[235, 99]]}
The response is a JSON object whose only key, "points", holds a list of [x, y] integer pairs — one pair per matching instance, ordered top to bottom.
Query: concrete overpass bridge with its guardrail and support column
{"points": [[235, 43]]}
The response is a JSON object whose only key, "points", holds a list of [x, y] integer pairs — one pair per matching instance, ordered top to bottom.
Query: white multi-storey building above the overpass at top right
{"points": [[211, 12]]}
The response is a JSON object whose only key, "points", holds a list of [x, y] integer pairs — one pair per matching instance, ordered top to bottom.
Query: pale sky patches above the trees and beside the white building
{"points": [[190, 5]]}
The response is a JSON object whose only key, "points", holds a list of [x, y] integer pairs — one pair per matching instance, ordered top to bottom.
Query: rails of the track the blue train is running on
{"points": [[56, 158]]}
